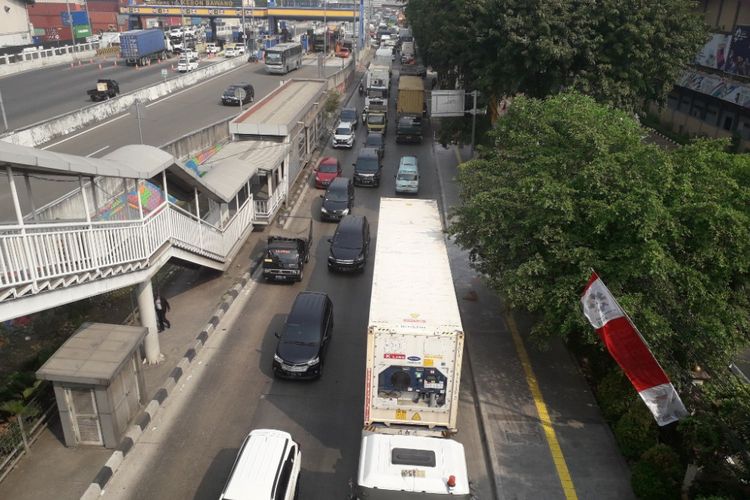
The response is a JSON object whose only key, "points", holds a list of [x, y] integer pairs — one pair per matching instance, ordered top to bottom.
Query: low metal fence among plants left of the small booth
{"points": [[20, 431]]}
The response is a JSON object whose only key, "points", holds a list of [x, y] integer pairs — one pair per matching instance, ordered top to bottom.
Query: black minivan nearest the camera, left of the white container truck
{"points": [[302, 345]]}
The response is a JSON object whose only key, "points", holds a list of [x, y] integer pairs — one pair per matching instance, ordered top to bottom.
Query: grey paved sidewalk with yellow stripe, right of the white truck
{"points": [[519, 452]]}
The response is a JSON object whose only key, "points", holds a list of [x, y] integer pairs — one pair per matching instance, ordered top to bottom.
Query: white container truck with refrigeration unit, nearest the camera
{"points": [[414, 351]]}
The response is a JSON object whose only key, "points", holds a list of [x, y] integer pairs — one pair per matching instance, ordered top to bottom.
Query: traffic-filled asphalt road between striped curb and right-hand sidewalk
{"points": [[235, 391]]}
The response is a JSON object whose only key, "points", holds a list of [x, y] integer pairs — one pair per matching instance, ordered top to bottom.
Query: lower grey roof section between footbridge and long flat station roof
{"points": [[238, 161]]}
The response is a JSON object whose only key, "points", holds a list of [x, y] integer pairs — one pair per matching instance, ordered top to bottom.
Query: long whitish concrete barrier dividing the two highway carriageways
{"points": [[61, 125]]}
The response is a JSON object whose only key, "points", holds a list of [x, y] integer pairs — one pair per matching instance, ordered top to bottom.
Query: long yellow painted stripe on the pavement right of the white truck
{"points": [[549, 431]]}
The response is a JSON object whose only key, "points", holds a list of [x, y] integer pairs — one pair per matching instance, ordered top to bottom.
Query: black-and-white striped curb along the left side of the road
{"points": [[128, 442]]}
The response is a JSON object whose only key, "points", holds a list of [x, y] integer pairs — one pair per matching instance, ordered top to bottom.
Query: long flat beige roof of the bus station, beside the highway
{"points": [[277, 113]]}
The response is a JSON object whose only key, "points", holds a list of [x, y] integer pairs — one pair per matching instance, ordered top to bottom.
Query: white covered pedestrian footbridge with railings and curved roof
{"points": [[84, 244]]}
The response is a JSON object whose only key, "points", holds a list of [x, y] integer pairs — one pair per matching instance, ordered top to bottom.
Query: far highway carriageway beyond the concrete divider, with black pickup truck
{"points": [[41, 94]]}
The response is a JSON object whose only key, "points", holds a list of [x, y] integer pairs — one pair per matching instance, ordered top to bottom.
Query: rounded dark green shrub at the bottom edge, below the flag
{"points": [[656, 476]]}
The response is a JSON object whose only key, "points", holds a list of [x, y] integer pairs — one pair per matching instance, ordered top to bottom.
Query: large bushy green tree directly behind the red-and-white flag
{"points": [[569, 185]]}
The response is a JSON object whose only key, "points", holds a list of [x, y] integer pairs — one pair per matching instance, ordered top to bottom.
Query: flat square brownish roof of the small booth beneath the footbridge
{"points": [[93, 355]]}
